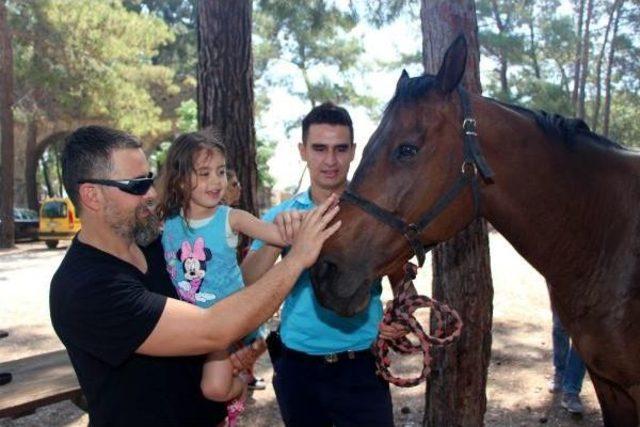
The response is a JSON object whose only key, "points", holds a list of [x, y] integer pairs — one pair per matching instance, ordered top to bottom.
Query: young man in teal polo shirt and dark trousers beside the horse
{"points": [[324, 371]]}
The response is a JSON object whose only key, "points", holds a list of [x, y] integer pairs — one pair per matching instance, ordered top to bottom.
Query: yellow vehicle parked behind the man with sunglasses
{"points": [[58, 221]]}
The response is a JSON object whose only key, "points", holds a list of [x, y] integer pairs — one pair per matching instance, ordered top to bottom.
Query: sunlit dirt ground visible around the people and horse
{"points": [[518, 374]]}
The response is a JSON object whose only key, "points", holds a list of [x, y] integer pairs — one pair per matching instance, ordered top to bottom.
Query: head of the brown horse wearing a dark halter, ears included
{"points": [[412, 159]]}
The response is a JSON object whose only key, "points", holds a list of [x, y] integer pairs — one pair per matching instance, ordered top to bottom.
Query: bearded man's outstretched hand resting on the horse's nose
{"points": [[314, 232]]}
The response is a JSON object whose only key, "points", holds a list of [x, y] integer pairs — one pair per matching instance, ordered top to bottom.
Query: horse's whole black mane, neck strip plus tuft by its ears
{"points": [[567, 130]]}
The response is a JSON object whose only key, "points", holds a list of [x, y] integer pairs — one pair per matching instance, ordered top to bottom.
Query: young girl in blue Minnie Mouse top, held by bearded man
{"points": [[200, 239]]}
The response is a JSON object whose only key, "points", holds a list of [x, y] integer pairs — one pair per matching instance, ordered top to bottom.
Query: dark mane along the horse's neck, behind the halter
{"points": [[567, 130]]}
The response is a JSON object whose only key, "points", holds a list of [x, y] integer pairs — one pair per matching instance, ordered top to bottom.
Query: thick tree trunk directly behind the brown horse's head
{"points": [[455, 393]]}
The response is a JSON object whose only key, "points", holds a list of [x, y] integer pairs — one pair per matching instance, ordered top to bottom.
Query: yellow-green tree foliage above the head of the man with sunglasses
{"points": [[93, 59]]}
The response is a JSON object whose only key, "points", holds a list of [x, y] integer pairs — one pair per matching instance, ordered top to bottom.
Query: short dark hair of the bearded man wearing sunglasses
{"points": [[87, 155]]}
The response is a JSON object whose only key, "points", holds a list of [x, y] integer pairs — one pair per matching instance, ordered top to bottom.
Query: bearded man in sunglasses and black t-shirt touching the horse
{"points": [[135, 347]]}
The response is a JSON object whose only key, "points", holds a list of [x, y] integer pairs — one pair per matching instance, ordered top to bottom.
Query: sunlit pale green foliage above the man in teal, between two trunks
{"points": [[314, 37]]}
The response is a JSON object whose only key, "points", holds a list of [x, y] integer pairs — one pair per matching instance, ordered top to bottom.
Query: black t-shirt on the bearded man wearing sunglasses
{"points": [[103, 309]]}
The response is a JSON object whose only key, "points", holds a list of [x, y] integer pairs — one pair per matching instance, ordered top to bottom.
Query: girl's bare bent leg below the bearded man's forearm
{"points": [[218, 382]]}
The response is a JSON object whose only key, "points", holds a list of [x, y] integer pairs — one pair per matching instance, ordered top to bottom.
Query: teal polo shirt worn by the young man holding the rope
{"points": [[307, 326]]}
